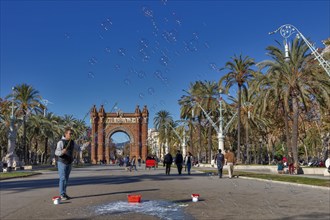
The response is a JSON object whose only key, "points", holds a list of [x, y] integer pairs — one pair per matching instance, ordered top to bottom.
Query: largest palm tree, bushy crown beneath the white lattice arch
{"points": [[295, 82]]}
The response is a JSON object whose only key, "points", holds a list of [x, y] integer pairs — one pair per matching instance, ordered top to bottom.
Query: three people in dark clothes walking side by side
{"points": [[179, 161]]}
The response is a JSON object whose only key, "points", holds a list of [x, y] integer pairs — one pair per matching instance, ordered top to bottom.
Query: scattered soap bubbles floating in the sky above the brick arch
{"points": [[152, 47]]}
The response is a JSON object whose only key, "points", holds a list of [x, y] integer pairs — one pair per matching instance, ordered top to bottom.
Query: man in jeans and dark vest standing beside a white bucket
{"points": [[64, 151]]}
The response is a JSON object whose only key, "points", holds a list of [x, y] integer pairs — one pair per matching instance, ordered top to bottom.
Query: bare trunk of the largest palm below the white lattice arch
{"points": [[294, 146]]}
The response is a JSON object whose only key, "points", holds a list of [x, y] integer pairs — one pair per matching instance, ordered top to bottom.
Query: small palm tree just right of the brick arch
{"points": [[161, 121]]}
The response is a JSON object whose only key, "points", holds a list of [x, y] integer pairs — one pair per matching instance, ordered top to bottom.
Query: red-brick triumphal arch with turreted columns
{"points": [[135, 125]]}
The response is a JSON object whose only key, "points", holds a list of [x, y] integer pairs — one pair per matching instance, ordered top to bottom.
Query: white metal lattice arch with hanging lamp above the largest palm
{"points": [[287, 30]]}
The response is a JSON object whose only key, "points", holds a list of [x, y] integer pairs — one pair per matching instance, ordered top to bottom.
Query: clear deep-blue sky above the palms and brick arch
{"points": [[81, 53]]}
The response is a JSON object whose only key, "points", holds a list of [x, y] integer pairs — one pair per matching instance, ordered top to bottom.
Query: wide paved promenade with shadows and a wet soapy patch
{"points": [[100, 192]]}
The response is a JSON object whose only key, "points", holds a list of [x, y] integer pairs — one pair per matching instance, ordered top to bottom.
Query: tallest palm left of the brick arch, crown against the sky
{"points": [[27, 99]]}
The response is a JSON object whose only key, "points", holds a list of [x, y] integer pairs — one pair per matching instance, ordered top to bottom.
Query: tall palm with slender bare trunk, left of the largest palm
{"points": [[240, 72]]}
